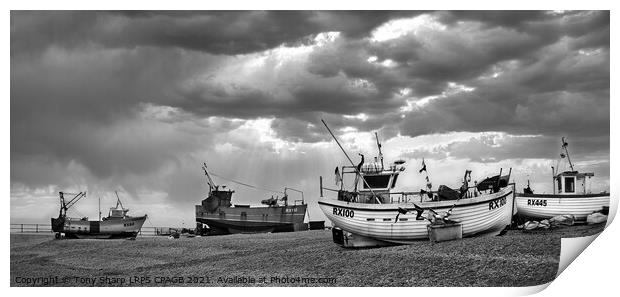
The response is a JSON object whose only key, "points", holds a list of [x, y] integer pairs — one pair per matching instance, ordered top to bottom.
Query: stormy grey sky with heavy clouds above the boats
{"points": [[136, 101]]}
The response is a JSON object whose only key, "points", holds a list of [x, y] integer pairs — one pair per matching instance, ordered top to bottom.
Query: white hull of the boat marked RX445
{"points": [[545, 206]]}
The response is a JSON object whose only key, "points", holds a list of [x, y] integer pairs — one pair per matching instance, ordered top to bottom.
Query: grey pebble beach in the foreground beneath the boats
{"points": [[308, 258]]}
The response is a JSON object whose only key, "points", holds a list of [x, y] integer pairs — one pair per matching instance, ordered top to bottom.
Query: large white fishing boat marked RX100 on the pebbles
{"points": [[374, 215]]}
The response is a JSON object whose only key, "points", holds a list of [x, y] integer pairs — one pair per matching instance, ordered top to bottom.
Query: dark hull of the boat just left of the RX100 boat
{"points": [[229, 220]]}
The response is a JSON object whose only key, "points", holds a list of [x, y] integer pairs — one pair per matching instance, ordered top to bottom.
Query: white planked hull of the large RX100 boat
{"points": [[484, 214]]}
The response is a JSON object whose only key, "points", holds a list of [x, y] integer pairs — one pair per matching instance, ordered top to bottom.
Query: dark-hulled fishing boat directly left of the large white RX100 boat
{"points": [[217, 215]]}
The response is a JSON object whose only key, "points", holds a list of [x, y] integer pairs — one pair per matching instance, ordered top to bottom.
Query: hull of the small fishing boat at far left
{"points": [[111, 228]]}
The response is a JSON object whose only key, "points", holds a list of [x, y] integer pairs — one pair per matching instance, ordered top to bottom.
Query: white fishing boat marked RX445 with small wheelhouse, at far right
{"points": [[573, 197]]}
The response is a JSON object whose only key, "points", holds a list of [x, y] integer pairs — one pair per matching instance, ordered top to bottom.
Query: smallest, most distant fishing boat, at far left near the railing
{"points": [[116, 225]]}
